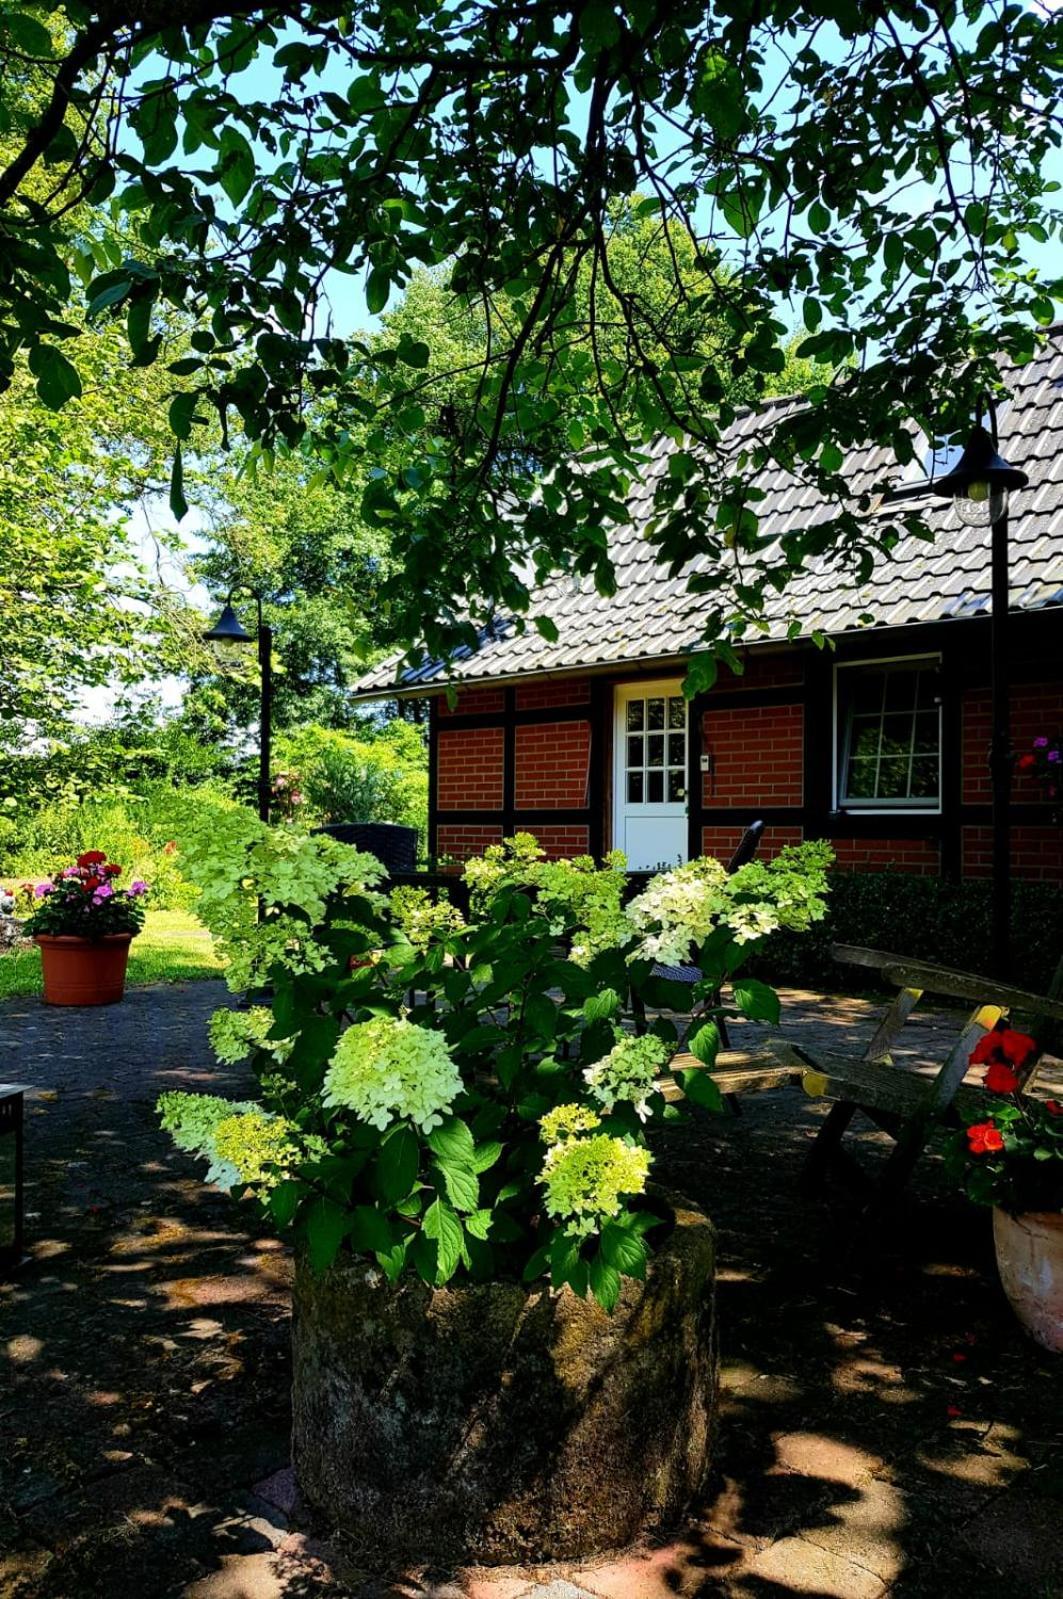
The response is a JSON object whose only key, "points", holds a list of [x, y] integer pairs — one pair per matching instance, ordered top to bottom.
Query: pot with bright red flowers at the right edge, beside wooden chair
{"points": [[1014, 1162]]}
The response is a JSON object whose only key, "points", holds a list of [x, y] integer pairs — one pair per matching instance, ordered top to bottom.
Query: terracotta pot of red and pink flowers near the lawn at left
{"points": [[84, 925]]}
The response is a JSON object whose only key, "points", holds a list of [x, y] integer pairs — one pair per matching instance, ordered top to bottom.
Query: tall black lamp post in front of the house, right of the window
{"points": [[979, 487]]}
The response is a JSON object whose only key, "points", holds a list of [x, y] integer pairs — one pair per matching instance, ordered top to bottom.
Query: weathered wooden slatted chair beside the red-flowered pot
{"points": [[904, 1103]]}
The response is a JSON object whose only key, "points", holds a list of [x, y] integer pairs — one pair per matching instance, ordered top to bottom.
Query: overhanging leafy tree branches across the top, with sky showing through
{"points": [[878, 169]]}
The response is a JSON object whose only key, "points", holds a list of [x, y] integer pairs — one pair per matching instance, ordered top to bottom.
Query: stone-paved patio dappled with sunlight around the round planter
{"points": [[885, 1426]]}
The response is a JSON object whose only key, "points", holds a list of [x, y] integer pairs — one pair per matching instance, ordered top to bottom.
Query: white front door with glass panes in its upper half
{"points": [[650, 775]]}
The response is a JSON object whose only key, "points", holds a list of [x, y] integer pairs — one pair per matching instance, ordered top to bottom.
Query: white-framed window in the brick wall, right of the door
{"points": [[890, 736]]}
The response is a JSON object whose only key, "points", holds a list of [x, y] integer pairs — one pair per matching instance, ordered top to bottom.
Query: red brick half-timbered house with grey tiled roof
{"points": [[878, 744]]}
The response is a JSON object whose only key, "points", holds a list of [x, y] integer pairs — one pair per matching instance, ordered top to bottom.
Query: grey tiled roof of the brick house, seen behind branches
{"points": [[655, 618]]}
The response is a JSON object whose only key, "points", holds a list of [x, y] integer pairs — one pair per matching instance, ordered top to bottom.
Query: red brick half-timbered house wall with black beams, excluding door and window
{"points": [[538, 757]]}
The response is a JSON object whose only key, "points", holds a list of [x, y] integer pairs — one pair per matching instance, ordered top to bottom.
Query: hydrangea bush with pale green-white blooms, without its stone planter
{"points": [[472, 1098]]}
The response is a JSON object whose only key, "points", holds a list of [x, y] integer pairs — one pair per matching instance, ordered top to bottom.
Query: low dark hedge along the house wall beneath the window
{"points": [[931, 919]]}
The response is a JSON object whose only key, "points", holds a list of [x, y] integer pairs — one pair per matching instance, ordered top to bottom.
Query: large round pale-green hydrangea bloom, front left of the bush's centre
{"points": [[391, 1071]]}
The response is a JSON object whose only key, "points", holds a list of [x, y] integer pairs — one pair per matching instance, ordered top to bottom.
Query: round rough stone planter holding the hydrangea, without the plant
{"points": [[490, 1424]]}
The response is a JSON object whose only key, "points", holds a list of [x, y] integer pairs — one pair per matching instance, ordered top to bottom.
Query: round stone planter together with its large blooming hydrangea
{"points": [[504, 1334]]}
